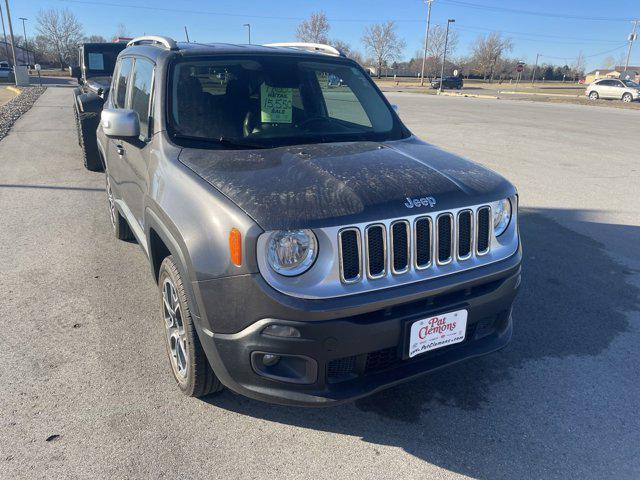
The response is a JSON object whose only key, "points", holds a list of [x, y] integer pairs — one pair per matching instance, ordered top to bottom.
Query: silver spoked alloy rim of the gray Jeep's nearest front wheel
{"points": [[174, 327]]}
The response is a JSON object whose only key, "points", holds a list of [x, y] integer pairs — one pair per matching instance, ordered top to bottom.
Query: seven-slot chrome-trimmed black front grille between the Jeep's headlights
{"points": [[429, 242]]}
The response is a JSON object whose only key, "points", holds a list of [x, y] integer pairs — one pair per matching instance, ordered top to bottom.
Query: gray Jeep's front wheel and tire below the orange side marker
{"points": [[189, 364]]}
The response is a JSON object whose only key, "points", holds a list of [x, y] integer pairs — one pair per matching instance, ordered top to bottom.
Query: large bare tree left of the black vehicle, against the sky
{"points": [[63, 32]]}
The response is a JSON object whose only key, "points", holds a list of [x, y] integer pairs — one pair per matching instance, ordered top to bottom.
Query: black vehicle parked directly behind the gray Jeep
{"points": [[95, 68]]}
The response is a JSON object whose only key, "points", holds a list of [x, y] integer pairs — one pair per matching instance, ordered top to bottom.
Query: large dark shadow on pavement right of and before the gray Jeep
{"points": [[558, 402]]}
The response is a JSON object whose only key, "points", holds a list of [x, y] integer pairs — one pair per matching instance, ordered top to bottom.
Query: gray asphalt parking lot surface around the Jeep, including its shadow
{"points": [[86, 389]]}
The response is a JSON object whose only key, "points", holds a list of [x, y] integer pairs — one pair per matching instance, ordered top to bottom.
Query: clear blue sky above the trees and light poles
{"points": [[550, 27]]}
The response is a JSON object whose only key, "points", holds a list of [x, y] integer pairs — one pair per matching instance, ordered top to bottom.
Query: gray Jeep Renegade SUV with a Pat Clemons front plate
{"points": [[308, 249]]}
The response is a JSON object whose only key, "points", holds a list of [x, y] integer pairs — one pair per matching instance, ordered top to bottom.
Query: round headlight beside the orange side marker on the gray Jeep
{"points": [[292, 252]]}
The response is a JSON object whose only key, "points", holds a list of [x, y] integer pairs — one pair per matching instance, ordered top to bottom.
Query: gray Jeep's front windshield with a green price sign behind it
{"points": [[262, 101]]}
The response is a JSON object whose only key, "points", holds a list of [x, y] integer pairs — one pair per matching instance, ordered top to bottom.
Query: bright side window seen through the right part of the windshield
{"points": [[341, 102]]}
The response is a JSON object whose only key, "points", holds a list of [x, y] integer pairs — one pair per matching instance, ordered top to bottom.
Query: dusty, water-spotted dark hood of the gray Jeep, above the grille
{"points": [[320, 185]]}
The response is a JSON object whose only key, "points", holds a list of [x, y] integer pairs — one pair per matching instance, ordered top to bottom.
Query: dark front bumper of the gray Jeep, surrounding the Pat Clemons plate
{"points": [[349, 349]]}
